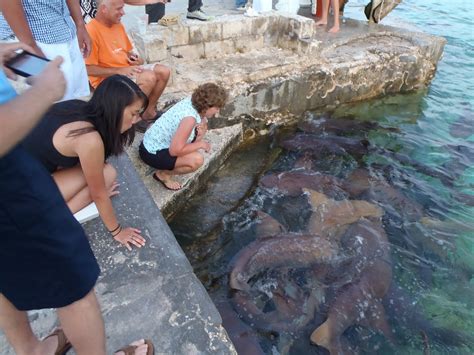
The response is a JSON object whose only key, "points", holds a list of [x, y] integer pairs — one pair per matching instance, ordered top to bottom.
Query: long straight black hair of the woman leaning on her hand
{"points": [[105, 111]]}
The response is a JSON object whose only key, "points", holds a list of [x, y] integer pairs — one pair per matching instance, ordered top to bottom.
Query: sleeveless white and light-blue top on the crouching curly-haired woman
{"points": [[160, 134]]}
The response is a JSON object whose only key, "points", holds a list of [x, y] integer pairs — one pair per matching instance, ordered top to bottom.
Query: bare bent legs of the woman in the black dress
{"points": [[73, 186]]}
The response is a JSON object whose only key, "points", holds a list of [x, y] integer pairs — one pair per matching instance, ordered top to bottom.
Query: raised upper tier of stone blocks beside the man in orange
{"points": [[197, 41]]}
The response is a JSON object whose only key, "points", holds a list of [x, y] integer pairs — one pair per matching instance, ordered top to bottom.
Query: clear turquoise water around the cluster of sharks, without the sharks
{"points": [[434, 267]]}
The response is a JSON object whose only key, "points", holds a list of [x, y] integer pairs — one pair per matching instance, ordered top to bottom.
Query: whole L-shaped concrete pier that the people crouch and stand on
{"points": [[274, 66]]}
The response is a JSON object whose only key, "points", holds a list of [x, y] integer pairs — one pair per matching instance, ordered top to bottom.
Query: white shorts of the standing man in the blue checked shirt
{"points": [[73, 67]]}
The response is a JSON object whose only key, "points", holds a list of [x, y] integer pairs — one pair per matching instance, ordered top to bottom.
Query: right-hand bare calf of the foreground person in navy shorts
{"points": [[83, 325]]}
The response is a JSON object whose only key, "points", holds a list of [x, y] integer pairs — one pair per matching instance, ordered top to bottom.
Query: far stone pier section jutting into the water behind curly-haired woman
{"points": [[290, 67]]}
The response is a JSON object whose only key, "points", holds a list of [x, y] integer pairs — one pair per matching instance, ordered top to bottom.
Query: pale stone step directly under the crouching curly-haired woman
{"points": [[222, 141]]}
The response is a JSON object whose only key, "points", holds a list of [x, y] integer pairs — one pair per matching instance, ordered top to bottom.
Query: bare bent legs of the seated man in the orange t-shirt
{"points": [[153, 83]]}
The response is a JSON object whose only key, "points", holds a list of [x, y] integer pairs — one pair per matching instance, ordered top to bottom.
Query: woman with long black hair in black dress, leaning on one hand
{"points": [[74, 140]]}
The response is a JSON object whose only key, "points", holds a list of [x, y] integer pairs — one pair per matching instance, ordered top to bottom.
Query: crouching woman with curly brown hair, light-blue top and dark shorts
{"points": [[171, 145]]}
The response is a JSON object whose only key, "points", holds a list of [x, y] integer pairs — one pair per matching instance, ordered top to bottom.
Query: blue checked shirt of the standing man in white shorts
{"points": [[49, 20]]}
